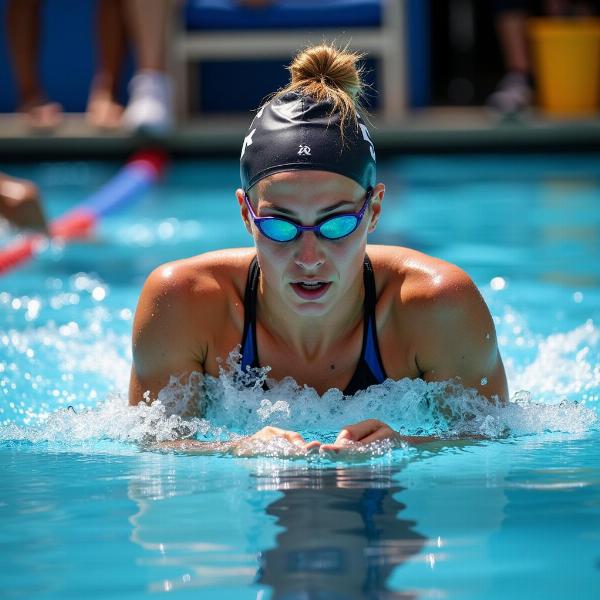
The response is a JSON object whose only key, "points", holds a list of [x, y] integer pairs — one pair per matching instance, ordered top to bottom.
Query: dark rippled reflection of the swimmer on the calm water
{"points": [[342, 535]]}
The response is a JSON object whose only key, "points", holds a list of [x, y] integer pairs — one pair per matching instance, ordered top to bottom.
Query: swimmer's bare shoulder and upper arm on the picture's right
{"points": [[436, 306]]}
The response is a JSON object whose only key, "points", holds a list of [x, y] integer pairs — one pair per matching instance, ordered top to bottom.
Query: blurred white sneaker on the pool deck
{"points": [[150, 106]]}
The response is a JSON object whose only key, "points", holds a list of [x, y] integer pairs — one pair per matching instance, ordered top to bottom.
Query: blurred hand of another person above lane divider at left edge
{"points": [[20, 203]]}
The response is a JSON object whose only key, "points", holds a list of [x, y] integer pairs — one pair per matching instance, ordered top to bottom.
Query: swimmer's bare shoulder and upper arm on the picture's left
{"points": [[183, 308]]}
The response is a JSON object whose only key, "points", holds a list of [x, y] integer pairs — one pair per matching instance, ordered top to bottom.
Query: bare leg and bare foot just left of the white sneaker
{"points": [[103, 110]]}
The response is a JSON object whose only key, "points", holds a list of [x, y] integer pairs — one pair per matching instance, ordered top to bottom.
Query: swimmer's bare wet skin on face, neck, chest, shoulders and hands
{"points": [[432, 323]]}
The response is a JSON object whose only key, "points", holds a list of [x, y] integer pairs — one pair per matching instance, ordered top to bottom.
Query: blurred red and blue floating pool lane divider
{"points": [[138, 175]]}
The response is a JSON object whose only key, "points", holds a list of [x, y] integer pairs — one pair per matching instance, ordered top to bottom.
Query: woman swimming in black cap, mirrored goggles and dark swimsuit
{"points": [[311, 299]]}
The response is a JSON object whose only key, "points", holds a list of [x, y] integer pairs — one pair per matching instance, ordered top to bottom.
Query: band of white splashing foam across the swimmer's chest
{"points": [[233, 409]]}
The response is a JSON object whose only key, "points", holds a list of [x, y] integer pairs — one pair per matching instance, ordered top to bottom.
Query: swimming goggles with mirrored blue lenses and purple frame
{"points": [[333, 228]]}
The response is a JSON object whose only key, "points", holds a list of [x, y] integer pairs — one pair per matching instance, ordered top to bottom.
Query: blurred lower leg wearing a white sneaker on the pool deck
{"points": [[150, 105]]}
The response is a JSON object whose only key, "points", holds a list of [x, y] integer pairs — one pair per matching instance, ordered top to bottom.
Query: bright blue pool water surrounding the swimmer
{"points": [[89, 508]]}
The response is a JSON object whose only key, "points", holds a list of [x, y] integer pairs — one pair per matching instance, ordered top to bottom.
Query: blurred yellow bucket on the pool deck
{"points": [[566, 65]]}
